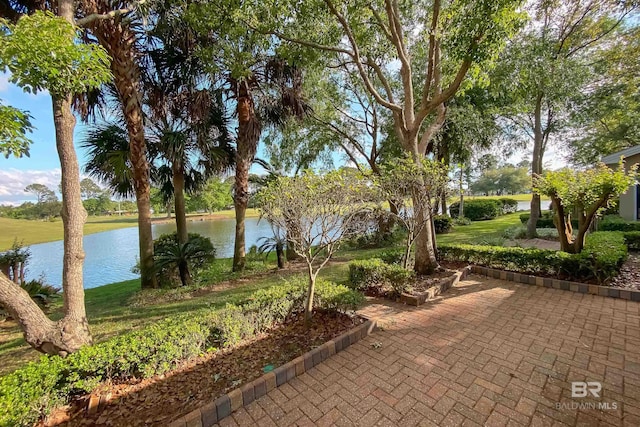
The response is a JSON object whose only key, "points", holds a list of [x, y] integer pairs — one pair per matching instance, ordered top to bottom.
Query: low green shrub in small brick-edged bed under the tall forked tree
{"points": [[374, 275]]}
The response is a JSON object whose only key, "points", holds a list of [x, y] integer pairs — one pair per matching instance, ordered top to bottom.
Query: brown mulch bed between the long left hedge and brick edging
{"points": [[159, 400]]}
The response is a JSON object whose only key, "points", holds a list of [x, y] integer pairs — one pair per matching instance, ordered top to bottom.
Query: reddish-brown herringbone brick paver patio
{"points": [[488, 353]]}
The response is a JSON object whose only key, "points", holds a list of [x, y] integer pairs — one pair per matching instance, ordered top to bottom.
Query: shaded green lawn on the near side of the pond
{"points": [[120, 307]]}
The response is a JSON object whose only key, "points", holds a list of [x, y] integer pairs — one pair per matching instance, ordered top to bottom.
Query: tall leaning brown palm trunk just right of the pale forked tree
{"points": [[119, 42]]}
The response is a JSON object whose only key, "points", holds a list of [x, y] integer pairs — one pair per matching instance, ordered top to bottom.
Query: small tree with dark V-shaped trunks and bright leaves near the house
{"points": [[583, 193]]}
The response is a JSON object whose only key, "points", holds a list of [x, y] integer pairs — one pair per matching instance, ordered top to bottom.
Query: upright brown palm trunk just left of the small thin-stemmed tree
{"points": [[249, 130]]}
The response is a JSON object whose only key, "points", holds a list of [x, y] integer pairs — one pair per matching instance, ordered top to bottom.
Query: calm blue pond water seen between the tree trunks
{"points": [[111, 255]]}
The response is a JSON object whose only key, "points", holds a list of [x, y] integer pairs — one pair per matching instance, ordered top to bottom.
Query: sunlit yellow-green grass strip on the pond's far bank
{"points": [[30, 232]]}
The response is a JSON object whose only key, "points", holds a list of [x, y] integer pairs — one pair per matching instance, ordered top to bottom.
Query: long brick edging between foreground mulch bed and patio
{"points": [[209, 414]]}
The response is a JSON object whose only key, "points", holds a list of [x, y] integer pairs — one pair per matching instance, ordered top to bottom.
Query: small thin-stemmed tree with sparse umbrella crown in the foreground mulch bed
{"points": [[318, 212]]}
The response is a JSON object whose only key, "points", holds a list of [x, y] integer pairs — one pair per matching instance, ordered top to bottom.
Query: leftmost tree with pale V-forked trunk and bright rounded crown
{"points": [[54, 62]]}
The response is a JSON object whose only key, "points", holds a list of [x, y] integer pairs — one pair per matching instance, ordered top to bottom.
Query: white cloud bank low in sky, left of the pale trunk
{"points": [[14, 181]]}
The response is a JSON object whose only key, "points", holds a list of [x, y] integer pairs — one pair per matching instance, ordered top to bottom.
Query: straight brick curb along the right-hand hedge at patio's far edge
{"points": [[565, 285]]}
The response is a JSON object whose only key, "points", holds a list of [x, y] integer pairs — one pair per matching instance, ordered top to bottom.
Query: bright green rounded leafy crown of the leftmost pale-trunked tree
{"points": [[42, 53]]}
